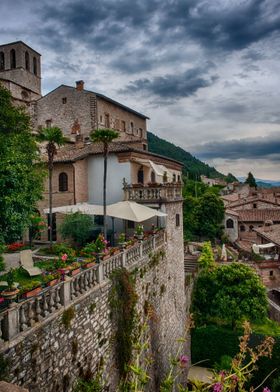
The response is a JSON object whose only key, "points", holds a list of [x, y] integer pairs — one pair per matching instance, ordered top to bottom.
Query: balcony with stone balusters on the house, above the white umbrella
{"points": [[159, 193]]}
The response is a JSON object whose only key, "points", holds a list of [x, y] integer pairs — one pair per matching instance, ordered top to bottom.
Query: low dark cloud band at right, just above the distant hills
{"points": [[267, 147]]}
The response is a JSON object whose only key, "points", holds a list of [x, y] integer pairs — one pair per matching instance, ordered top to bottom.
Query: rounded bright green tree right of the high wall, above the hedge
{"points": [[229, 294]]}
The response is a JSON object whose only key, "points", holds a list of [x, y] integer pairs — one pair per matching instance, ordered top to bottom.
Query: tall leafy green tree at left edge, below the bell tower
{"points": [[21, 175]]}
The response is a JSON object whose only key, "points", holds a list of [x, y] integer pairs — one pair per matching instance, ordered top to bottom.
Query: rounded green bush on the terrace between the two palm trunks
{"points": [[77, 227]]}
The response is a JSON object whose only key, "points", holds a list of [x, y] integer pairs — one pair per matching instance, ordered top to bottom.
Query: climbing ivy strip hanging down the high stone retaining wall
{"points": [[123, 300]]}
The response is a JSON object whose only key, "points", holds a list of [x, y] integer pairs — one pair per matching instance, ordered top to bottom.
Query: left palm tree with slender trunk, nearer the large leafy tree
{"points": [[54, 138]]}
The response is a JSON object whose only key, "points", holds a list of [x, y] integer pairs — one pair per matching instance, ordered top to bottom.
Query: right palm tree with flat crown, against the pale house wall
{"points": [[104, 136]]}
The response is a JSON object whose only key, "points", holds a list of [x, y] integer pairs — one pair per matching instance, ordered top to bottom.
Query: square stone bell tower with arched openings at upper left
{"points": [[20, 72]]}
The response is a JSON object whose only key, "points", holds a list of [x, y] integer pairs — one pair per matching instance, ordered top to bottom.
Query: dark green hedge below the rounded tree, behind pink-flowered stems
{"points": [[212, 342]]}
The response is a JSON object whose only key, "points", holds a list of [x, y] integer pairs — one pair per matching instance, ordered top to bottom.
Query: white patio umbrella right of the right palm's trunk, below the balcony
{"points": [[132, 211]]}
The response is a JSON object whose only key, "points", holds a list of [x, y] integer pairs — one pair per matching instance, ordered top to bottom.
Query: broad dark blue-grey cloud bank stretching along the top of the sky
{"points": [[110, 25]]}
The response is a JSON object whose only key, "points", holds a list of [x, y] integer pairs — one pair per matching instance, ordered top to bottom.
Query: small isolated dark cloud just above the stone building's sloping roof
{"points": [[174, 86]]}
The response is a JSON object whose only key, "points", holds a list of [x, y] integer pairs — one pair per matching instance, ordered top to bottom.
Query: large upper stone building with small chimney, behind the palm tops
{"points": [[78, 111]]}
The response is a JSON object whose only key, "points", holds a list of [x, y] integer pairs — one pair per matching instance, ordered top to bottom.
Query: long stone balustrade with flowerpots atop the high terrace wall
{"points": [[23, 315]]}
